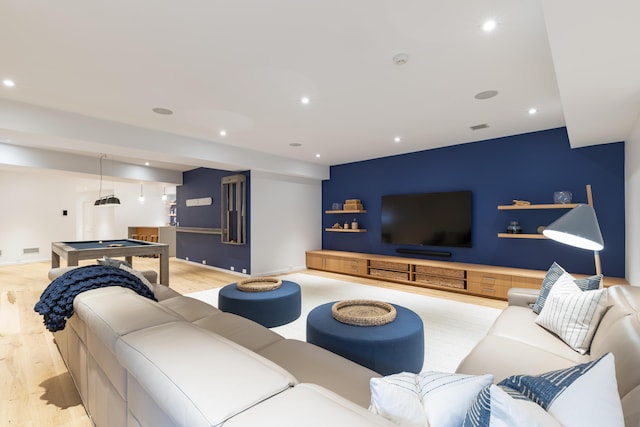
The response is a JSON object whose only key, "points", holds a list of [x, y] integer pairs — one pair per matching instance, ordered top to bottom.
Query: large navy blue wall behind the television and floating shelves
{"points": [[528, 167]]}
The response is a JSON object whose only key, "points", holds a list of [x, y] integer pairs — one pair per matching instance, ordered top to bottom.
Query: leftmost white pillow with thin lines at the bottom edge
{"points": [[436, 399]]}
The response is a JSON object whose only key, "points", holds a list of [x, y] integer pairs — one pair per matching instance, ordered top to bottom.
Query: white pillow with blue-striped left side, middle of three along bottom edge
{"points": [[502, 407]]}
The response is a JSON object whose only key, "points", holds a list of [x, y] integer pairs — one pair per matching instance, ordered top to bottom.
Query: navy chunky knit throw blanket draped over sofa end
{"points": [[56, 302]]}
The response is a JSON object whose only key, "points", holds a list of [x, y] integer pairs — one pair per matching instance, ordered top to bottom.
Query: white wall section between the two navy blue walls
{"points": [[286, 221]]}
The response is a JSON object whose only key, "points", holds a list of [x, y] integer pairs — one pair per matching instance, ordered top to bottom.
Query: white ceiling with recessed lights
{"points": [[244, 65]]}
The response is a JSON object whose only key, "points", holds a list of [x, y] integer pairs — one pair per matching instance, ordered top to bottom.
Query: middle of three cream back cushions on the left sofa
{"points": [[199, 378]]}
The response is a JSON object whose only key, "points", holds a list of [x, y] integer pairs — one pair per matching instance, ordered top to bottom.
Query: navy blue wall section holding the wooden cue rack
{"points": [[204, 182]]}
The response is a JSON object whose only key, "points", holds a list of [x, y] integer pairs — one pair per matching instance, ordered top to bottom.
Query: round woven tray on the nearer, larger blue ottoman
{"points": [[363, 312]]}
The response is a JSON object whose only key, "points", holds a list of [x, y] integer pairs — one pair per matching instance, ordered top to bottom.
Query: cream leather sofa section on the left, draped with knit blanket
{"points": [[181, 362]]}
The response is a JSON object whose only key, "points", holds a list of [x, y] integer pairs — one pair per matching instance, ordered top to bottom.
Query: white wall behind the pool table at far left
{"points": [[33, 201]]}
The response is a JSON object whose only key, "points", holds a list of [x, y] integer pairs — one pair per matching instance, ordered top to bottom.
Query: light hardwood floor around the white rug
{"points": [[36, 389]]}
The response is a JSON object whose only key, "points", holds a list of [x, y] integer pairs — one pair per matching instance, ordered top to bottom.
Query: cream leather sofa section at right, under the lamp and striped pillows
{"points": [[515, 344]]}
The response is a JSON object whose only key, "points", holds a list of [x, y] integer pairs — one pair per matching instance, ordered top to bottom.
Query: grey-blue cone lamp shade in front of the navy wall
{"points": [[578, 227]]}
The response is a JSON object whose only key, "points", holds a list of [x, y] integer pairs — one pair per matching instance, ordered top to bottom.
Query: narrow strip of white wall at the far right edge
{"points": [[632, 195]]}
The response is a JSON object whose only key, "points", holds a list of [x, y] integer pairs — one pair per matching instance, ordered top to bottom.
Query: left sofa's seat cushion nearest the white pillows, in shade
{"points": [[312, 364]]}
